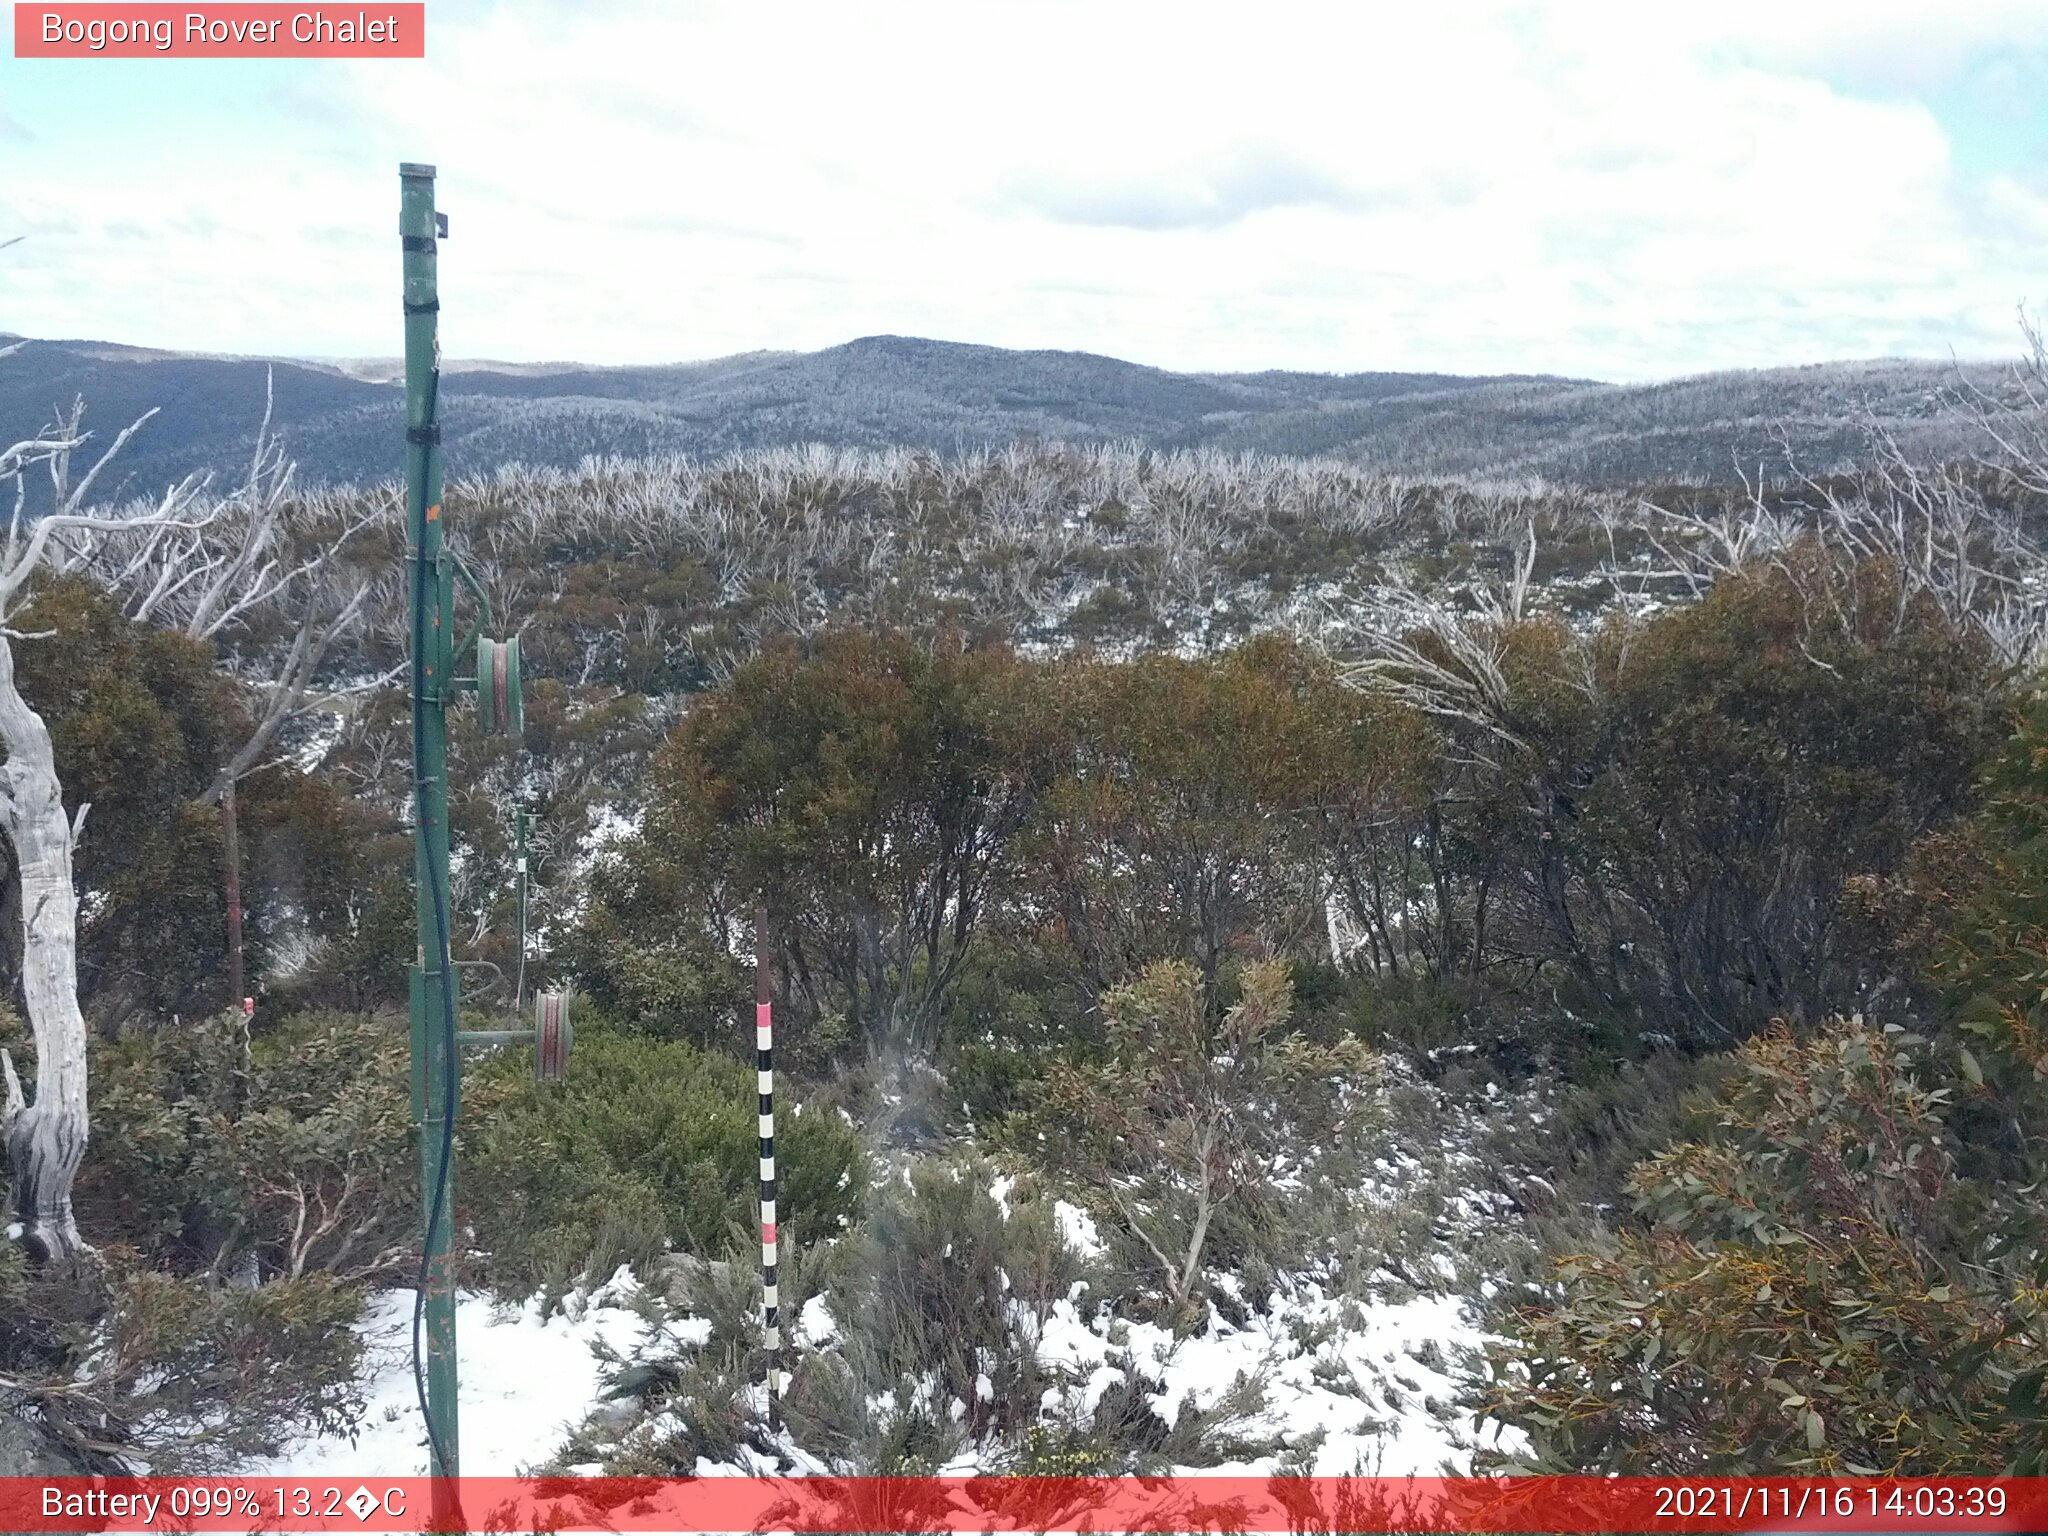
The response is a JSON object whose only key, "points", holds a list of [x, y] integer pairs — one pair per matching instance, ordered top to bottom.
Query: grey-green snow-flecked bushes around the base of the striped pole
{"points": [[937, 1299]]}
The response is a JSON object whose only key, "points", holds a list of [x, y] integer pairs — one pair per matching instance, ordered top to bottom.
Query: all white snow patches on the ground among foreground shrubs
{"points": [[1373, 1375]]}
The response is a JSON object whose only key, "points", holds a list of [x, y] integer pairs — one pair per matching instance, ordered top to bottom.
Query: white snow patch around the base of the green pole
{"points": [[525, 1383]]}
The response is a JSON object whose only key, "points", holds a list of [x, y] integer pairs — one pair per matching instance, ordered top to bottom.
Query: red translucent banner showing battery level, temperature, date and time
{"points": [[1029, 1504]]}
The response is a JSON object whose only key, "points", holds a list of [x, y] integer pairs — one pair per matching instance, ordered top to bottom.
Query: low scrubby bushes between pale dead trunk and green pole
{"points": [[239, 1193]]}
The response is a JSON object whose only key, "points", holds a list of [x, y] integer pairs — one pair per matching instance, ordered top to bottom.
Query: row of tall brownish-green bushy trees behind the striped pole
{"points": [[1646, 837]]}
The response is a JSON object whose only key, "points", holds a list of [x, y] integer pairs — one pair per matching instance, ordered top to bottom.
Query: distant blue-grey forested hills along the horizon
{"points": [[343, 421]]}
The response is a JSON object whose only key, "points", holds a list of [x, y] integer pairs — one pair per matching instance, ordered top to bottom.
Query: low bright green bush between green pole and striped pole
{"points": [[648, 1144]]}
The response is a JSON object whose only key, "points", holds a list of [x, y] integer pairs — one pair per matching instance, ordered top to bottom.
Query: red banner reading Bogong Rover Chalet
{"points": [[220, 32]]}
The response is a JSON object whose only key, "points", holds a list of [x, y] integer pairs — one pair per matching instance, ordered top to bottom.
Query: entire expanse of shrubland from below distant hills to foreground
{"points": [[1195, 837]]}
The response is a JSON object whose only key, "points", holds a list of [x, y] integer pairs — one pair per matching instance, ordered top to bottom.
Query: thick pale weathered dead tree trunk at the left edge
{"points": [[46, 1140]]}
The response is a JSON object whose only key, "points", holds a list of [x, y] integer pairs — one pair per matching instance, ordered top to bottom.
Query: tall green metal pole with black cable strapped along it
{"points": [[433, 996]]}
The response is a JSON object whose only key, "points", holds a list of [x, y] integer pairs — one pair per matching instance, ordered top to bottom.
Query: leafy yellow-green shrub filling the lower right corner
{"points": [[1816, 1287]]}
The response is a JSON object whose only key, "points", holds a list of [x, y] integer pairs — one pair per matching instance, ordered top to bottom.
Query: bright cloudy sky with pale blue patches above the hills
{"points": [[1603, 189]]}
